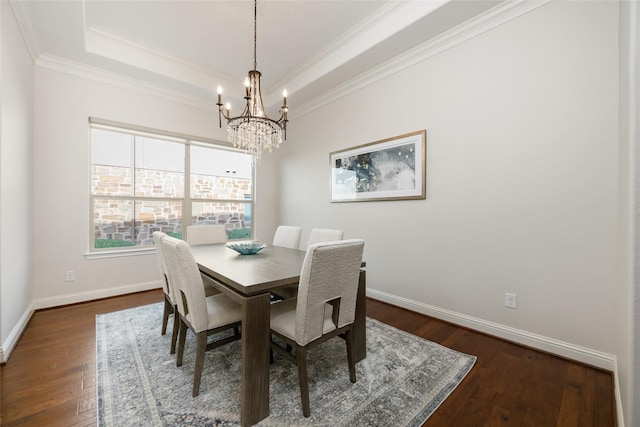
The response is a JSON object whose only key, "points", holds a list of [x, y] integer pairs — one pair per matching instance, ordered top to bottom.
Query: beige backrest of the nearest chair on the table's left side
{"points": [[184, 275]]}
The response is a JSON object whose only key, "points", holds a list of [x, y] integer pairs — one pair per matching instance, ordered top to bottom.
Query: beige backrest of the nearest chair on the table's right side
{"points": [[330, 274]]}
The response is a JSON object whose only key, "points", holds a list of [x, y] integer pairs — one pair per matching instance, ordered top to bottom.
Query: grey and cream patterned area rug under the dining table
{"points": [[401, 382]]}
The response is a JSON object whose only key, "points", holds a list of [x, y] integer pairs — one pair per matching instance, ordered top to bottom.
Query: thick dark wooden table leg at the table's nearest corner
{"points": [[254, 391]]}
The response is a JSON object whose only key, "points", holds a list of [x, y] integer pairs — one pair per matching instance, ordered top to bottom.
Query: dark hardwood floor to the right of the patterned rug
{"points": [[510, 385]]}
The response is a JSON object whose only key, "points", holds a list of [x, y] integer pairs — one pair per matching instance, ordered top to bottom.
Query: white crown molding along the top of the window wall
{"points": [[56, 63]]}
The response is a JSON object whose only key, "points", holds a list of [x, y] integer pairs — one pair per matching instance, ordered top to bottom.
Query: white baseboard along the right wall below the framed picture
{"points": [[561, 348]]}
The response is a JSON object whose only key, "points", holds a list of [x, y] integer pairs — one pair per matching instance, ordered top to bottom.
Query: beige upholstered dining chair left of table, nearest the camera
{"points": [[202, 315]]}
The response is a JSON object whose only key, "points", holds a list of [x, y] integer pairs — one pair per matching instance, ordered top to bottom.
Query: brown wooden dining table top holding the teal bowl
{"points": [[271, 268]]}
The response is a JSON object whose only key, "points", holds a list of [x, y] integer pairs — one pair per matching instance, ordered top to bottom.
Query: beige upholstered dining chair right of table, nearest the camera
{"points": [[325, 307]]}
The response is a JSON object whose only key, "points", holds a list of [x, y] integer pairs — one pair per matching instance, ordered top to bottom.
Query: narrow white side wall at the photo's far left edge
{"points": [[16, 124]]}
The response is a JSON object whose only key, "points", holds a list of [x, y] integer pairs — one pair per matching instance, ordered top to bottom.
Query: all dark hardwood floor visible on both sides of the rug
{"points": [[50, 377]]}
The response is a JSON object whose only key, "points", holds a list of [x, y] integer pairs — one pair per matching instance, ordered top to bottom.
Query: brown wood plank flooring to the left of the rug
{"points": [[50, 378]]}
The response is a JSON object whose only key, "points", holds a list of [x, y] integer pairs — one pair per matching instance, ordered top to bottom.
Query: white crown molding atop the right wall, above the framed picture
{"points": [[486, 21]]}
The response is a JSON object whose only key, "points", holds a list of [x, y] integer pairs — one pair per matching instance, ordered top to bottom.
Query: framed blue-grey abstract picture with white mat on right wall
{"points": [[390, 169]]}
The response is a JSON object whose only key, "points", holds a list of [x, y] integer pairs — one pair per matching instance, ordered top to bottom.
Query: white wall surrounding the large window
{"points": [[61, 182]]}
